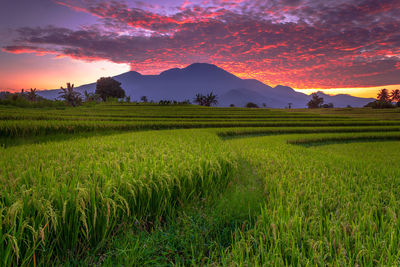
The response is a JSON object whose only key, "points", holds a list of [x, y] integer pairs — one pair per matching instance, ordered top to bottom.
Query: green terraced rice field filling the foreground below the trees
{"points": [[131, 185]]}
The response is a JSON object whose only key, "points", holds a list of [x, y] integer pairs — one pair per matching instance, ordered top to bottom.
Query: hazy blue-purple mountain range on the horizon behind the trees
{"points": [[181, 84]]}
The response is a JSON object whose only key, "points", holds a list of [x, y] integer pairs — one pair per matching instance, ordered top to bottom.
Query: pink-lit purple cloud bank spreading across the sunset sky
{"points": [[299, 43]]}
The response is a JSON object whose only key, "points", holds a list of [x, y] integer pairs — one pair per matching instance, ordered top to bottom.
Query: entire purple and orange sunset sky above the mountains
{"points": [[335, 46]]}
